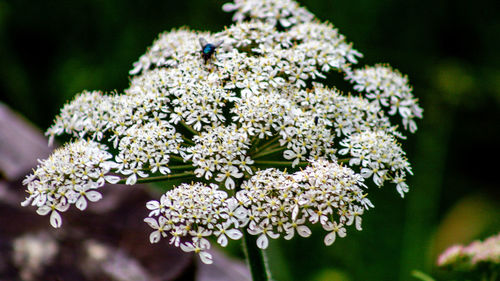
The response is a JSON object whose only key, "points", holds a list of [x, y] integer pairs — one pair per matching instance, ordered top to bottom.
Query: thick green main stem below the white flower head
{"points": [[256, 258]]}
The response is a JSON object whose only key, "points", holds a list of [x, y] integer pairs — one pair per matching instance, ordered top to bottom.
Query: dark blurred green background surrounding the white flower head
{"points": [[51, 50]]}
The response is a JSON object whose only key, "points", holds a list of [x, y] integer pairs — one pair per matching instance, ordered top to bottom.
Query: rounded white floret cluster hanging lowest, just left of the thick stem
{"points": [[196, 211]]}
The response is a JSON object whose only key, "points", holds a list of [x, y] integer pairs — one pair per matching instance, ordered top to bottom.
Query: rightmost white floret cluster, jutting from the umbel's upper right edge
{"points": [[388, 88]]}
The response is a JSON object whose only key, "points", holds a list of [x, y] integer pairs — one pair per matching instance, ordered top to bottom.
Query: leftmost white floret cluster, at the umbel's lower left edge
{"points": [[70, 175]]}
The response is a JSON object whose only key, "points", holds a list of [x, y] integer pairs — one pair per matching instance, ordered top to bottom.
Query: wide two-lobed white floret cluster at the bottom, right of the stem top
{"points": [[280, 204]]}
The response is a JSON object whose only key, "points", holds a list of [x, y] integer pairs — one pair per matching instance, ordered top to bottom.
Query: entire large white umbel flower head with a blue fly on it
{"points": [[245, 120]]}
